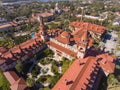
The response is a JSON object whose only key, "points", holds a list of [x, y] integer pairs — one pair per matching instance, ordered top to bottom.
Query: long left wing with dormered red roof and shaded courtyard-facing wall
{"points": [[23, 52]]}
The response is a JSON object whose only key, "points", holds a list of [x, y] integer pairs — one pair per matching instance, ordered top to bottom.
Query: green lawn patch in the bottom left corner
{"points": [[4, 84]]}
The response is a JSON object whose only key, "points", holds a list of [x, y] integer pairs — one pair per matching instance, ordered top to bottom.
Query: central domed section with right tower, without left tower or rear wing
{"points": [[77, 42]]}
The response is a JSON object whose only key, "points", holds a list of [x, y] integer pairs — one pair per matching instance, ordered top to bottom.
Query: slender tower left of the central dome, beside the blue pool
{"points": [[42, 32]]}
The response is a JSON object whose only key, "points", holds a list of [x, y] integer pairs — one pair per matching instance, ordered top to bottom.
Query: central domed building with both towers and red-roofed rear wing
{"points": [[72, 44]]}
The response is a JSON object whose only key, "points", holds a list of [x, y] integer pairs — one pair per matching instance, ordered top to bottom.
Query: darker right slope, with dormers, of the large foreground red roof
{"points": [[84, 75]]}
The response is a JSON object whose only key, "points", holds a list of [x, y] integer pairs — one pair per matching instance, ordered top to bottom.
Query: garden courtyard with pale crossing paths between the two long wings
{"points": [[46, 70]]}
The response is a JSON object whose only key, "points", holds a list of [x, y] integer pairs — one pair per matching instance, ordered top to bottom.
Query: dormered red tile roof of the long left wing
{"points": [[14, 53]]}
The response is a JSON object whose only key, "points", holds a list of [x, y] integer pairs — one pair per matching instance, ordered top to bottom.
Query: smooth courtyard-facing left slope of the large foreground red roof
{"points": [[71, 74]]}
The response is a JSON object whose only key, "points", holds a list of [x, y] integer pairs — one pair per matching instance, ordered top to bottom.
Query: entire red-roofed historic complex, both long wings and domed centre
{"points": [[85, 72]]}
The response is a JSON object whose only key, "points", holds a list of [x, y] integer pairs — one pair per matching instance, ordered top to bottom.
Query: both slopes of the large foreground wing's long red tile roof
{"points": [[77, 75]]}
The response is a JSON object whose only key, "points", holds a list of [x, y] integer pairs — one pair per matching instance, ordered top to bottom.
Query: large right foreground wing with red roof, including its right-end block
{"points": [[84, 74]]}
